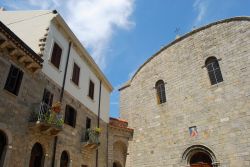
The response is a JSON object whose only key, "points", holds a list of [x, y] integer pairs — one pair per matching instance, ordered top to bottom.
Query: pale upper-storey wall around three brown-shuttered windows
{"points": [[80, 92]]}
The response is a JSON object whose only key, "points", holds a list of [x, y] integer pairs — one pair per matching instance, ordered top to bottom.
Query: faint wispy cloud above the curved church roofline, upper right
{"points": [[201, 6]]}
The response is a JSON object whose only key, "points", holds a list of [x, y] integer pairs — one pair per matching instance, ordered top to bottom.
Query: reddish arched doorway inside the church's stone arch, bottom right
{"points": [[200, 159]]}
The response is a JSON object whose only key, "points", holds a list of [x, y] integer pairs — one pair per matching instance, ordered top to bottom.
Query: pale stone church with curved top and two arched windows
{"points": [[189, 104]]}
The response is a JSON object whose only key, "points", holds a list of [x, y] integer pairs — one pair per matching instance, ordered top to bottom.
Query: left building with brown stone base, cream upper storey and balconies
{"points": [[54, 98]]}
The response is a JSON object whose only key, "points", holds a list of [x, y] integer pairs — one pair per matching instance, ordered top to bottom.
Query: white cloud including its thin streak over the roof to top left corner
{"points": [[93, 21]]}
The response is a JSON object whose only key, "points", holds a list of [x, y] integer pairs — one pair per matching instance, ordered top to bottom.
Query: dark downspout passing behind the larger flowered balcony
{"points": [[61, 97]]}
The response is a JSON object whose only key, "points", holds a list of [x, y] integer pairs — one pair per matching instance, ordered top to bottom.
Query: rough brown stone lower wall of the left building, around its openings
{"points": [[14, 118]]}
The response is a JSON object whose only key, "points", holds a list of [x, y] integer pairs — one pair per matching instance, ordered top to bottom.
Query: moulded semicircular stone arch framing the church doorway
{"points": [[192, 151]]}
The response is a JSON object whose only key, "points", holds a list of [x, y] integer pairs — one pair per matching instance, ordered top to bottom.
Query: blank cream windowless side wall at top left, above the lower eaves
{"points": [[29, 26]]}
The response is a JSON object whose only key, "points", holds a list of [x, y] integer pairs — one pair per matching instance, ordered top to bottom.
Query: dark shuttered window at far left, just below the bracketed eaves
{"points": [[14, 80]]}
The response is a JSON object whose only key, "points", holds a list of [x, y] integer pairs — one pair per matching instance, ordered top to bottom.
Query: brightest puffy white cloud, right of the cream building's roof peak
{"points": [[94, 21]]}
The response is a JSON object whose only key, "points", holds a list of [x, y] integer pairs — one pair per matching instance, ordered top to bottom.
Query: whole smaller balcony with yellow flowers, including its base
{"points": [[90, 139]]}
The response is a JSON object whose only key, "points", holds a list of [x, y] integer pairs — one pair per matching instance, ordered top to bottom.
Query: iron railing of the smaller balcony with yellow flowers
{"points": [[91, 136]]}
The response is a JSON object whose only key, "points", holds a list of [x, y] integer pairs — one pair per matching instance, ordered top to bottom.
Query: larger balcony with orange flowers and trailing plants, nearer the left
{"points": [[45, 119]]}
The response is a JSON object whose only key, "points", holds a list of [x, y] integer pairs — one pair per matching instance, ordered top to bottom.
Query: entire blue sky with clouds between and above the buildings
{"points": [[122, 34]]}
